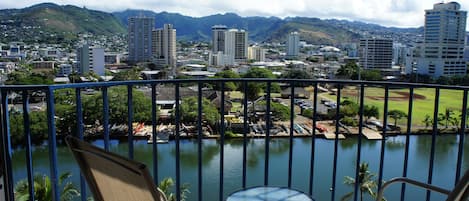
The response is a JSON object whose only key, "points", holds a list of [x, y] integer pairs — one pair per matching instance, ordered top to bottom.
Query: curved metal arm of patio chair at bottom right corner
{"points": [[459, 193]]}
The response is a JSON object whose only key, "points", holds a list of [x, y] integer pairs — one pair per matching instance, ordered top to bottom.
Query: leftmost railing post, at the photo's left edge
{"points": [[6, 150]]}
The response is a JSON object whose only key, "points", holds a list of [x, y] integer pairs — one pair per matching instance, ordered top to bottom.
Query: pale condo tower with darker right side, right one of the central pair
{"points": [[236, 45]]}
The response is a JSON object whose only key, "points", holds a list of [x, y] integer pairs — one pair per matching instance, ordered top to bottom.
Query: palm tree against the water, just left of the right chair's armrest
{"points": [[365, 183]]}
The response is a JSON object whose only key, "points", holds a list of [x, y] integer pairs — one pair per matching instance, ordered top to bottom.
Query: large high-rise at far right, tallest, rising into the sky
{"points": [[443, 45]]}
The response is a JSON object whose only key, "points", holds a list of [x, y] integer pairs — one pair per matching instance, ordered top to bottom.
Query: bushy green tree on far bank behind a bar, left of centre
{"points": [[189, 110]]}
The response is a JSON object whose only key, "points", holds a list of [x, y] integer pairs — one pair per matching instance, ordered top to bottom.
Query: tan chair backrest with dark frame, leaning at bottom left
{"points": [[111, 176]]}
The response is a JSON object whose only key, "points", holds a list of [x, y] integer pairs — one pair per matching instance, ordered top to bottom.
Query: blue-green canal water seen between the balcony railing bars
{"points": [[419, 154]]}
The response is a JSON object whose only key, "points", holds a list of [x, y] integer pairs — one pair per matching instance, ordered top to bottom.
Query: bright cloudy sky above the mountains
{"points": [[397, 13]]}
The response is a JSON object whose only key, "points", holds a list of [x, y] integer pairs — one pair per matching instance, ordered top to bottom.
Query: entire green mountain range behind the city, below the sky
{"points": [[69, 20]]}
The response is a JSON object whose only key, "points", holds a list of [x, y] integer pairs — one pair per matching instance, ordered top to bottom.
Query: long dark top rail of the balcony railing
{"points": [[208, 80]]}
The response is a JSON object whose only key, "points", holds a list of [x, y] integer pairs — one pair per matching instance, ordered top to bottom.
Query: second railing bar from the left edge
{"points": [[27, 133]]}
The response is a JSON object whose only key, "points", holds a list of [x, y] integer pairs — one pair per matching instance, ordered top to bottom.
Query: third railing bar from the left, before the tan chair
{"points": [[52, 144]]}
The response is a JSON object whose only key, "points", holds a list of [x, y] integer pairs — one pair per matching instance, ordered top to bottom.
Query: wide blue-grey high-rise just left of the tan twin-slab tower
{"points": [[140, 38]]}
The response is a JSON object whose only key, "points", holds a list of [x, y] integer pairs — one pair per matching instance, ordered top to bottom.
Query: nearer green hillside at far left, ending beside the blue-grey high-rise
{"points": [[64, 21]]}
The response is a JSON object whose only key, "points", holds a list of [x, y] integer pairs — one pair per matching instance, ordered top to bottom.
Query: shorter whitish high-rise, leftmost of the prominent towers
{"points": [[90, 59]]}
